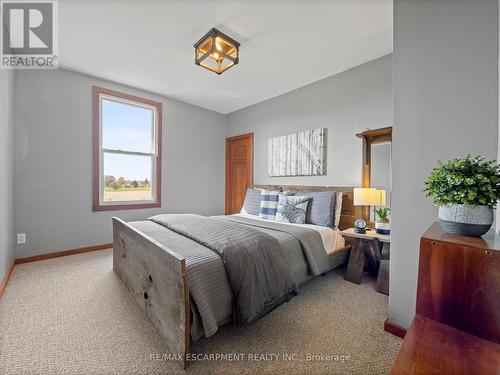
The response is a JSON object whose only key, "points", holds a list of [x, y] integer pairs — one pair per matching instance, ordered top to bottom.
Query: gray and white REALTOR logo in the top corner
{"points": [[29, 34]]}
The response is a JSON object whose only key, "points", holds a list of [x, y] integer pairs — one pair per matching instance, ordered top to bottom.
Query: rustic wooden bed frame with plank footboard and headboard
{"points": [[157, 276]]}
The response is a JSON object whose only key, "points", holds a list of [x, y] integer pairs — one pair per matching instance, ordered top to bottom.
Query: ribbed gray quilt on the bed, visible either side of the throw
{"points": [[209, 286]]}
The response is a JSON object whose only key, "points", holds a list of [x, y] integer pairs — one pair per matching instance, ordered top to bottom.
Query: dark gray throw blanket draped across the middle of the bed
{"points": [[257, 270]]}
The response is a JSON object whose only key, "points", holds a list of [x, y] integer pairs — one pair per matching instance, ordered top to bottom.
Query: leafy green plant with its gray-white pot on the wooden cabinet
{"points": [[466, 191]]}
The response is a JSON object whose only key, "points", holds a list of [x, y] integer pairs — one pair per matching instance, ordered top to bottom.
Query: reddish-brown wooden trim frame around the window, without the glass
{"points": [[96, 189]]}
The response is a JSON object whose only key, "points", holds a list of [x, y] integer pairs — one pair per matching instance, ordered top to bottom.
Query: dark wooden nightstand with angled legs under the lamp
{"points": [[366, 252]]}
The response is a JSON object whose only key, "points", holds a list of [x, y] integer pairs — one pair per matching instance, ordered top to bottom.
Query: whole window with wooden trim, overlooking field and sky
{"points": [[127, 151]]}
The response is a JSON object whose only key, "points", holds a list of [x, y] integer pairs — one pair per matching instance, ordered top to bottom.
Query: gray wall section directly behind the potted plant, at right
{"points": [[445, 105]]}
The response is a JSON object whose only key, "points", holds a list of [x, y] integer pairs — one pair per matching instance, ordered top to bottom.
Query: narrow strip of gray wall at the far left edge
{"points": [[6, 171]]}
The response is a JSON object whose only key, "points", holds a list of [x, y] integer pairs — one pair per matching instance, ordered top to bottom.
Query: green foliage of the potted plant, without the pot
{"points": [[466, 181]]}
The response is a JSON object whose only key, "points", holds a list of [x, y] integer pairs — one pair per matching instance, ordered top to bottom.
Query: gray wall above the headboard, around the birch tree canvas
{"points": [[346, 103]]}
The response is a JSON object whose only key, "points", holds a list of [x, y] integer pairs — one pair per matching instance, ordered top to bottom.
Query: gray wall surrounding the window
{"points": [[53, 162]]}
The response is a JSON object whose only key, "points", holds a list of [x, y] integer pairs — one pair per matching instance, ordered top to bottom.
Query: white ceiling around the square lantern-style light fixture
{"points": [[284, 44]]}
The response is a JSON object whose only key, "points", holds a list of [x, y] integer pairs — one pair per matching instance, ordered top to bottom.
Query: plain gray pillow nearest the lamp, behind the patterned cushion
{"points": [[321, 208]]}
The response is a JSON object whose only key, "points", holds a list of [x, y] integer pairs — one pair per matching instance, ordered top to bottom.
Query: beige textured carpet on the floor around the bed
{"points": [[72, 315]]}
